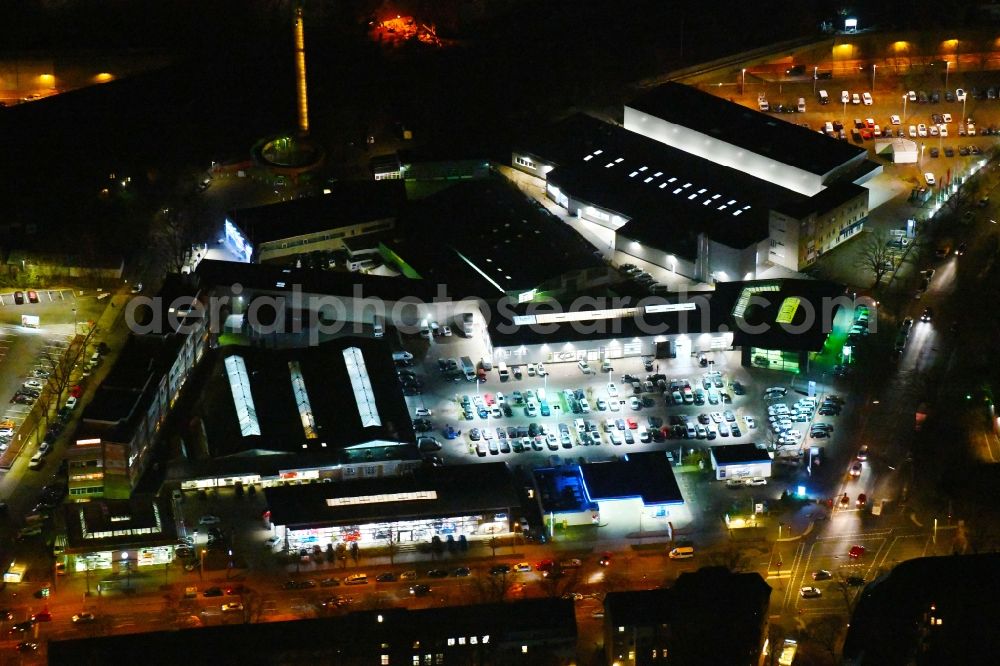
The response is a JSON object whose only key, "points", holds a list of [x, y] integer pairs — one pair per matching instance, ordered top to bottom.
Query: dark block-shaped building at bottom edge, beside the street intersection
{"points": [[711, 616]]}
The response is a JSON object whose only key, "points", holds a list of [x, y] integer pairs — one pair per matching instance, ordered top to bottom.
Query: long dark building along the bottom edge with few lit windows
{"points": [[533, 632]]}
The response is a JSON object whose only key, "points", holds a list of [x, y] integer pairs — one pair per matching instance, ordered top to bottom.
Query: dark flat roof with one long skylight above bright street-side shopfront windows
{"points": [[458, 490]]}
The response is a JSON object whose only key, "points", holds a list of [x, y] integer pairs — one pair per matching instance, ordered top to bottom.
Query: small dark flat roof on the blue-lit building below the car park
{"points": [[648, 476]]}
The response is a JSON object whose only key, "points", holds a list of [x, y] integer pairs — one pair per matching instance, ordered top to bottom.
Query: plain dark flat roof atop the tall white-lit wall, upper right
{"points": [[746, 128]]}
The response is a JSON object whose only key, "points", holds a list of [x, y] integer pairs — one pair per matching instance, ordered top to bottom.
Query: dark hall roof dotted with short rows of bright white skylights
{"points": [[669, 195]]}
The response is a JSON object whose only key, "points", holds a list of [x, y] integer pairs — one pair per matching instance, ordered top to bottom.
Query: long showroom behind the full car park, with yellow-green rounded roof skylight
{"points": [[774, 323]]}
